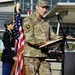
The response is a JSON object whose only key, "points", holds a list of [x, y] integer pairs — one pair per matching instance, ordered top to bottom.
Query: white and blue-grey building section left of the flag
{"points": [[6, 12]]}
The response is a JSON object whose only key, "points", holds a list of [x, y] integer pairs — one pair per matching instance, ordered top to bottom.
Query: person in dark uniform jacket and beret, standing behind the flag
{"points": [[8, 55]]}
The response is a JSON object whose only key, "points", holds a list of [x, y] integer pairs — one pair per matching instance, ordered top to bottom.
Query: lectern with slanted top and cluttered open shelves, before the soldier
{"points": [[55, 54]]}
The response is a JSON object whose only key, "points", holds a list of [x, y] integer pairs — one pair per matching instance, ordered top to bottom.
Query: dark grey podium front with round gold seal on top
{"points": [[69, 64]]}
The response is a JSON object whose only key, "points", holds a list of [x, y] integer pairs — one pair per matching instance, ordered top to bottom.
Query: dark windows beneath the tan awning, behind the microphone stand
{"points": [[68, 29]]}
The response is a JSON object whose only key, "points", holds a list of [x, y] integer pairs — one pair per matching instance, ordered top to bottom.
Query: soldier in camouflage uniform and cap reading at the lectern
{"points": [[37, 31]]}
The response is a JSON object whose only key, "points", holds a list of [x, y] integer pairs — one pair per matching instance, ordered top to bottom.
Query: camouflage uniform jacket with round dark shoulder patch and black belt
{"points": [[37, 31]]}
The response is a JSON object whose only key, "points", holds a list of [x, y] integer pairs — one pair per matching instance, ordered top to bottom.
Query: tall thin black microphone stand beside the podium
{"points": [[63, 43]]}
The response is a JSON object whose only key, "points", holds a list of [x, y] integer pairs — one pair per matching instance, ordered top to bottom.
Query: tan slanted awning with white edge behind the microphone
{"points": [[66, 10]]}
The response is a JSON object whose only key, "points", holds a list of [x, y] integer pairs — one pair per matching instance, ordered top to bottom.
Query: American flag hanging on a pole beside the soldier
{"points": [[19, 42]]}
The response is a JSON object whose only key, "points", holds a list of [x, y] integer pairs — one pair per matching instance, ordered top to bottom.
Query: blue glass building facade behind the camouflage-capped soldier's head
{"points": [[30, 4]]}
